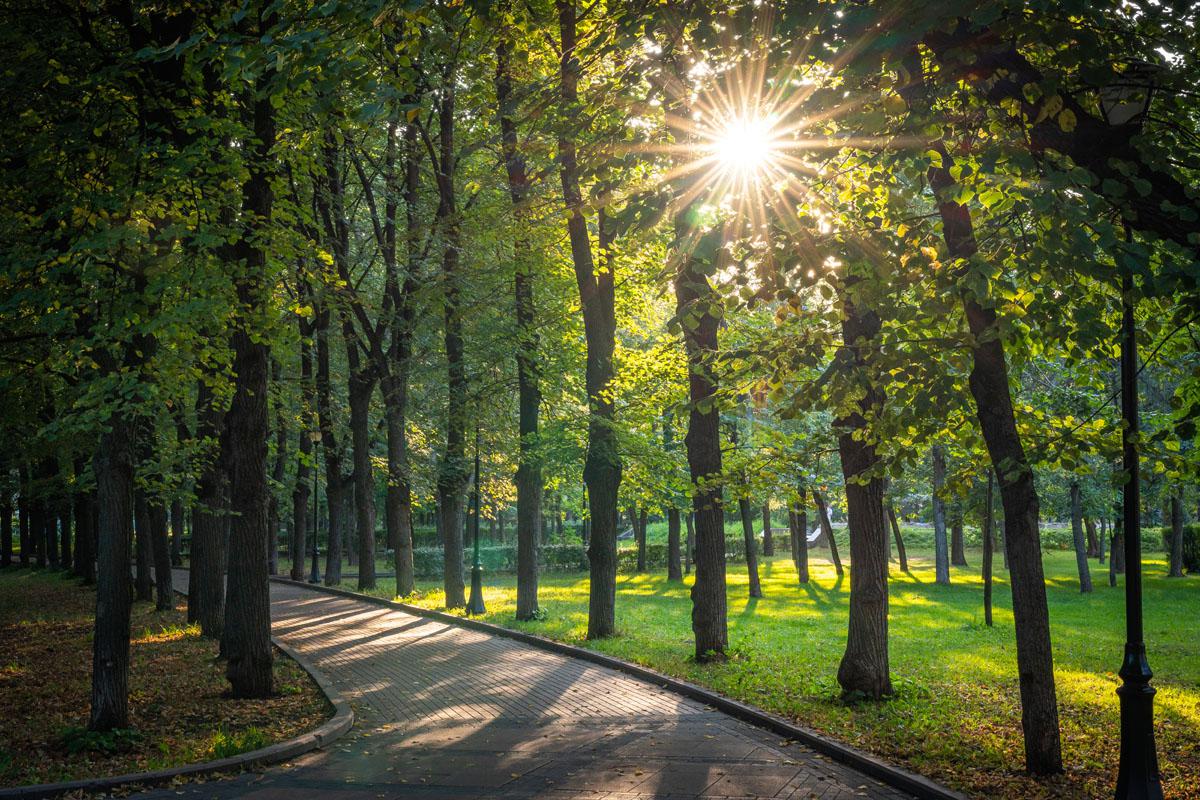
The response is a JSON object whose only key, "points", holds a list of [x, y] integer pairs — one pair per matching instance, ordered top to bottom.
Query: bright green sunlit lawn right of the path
{"points": [[956, 715]]}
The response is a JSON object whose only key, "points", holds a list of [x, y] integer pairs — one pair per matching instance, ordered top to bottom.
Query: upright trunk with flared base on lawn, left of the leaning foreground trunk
{"points": [[865, 670]]}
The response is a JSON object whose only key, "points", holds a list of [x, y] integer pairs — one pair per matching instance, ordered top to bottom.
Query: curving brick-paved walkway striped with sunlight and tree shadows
{"points": [[453, 714]]}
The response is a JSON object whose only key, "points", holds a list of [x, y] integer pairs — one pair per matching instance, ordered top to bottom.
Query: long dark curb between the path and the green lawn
{"points": [[895, 777]]}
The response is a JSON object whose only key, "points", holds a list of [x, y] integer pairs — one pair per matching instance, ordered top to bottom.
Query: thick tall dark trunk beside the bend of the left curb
{"points": [[248, 635]]}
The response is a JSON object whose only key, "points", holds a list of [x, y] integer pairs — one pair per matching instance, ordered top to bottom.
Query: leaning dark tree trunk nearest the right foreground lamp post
{"points": [[994, 407]]}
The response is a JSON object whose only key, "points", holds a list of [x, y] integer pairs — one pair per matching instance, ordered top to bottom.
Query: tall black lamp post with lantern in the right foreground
{"points": [[1126, 104]]}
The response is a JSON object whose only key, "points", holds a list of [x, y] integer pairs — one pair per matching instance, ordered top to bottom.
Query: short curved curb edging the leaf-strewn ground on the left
{"points": [[331, 731]]}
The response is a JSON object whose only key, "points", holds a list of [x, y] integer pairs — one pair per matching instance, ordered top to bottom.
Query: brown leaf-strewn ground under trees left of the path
{"points": [[177, 707]]}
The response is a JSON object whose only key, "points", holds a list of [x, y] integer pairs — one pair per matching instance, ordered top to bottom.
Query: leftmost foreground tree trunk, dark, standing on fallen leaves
{"points": [[113, 468]]}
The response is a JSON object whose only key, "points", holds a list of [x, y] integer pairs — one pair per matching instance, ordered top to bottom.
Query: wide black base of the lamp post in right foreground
{"points": [[1138, 774]]}
